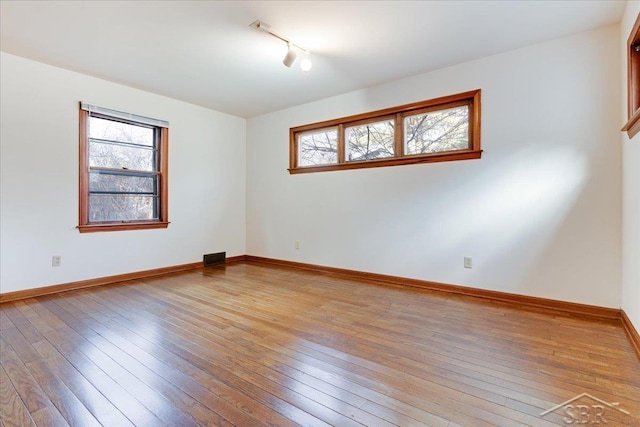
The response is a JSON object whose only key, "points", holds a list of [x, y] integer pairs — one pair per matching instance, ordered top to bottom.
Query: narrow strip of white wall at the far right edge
{"points": [[631, 188]]}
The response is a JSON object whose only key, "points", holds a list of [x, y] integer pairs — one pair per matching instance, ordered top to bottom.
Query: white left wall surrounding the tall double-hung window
{"points": [[39, 180]]}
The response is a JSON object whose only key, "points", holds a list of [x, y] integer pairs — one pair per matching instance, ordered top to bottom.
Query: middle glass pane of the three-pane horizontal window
{"points": [[370, 141]]}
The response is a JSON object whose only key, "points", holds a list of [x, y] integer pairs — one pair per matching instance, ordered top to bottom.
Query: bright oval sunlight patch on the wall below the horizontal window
{"points": [[518, 206]]}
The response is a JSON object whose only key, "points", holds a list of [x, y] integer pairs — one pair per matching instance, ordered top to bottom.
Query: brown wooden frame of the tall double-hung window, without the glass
{"points": [[85, 226]]}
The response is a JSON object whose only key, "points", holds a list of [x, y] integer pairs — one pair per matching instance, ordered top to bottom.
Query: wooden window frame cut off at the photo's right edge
{"points": [[632, 127]]}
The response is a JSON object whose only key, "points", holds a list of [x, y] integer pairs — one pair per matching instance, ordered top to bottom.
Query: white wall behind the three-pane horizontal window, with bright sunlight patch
{"points": [[540, 213]]}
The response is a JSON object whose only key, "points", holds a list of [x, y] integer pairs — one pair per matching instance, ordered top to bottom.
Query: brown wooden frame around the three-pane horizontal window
{"points": [[470, 98]]}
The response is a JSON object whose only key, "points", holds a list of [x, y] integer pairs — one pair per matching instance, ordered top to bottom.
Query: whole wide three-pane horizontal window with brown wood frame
{"points": [[442, 129]]}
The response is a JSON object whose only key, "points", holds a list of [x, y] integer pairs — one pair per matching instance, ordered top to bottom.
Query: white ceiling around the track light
{"points": [[204, 52]]}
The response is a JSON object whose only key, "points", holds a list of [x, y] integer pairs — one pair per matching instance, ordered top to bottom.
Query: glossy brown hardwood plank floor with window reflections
{"points": [[252, 345]]}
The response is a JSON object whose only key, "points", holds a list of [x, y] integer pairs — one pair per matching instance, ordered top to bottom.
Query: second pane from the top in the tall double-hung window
{"points": [[116, 156]]}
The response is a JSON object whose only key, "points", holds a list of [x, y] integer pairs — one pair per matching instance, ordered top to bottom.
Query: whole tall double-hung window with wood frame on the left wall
{"points": [[123, 171]]}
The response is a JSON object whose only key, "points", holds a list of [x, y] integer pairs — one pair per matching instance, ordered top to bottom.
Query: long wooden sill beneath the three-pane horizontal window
{"points": [[408, 160]]}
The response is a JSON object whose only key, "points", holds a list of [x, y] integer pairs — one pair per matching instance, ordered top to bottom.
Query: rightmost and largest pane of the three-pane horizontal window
{"points": [[433, 132]]}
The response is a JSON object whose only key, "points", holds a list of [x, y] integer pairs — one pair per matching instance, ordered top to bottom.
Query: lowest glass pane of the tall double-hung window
{"points": [[120, 207]]}
